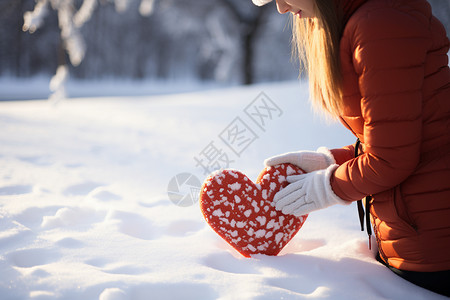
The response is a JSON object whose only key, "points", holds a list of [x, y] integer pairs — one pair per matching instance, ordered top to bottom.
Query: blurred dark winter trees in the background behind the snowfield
{"points": [[226, 41]]}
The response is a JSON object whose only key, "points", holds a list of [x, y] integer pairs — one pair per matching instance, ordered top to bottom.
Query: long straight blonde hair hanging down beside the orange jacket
{"points": [[316, 43]]}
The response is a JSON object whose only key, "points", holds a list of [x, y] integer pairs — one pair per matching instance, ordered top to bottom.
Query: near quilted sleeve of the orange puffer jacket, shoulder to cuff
{"points": [[389, 51]]}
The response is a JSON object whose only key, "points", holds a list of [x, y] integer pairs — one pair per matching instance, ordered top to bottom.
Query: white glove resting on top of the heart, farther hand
{"points": [[307, 160]]}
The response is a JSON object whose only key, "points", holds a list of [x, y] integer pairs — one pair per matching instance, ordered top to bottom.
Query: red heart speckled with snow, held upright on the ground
{"points": [[242, 213]]}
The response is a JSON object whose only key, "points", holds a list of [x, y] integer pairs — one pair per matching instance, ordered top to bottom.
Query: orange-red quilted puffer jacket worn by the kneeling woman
{"points": [[397, 102]]}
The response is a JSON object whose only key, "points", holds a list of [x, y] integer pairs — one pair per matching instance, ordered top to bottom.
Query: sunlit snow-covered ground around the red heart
{"points": [[85, 211]]}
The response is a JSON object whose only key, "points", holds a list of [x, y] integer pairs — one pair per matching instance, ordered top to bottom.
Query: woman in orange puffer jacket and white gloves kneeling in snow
{"points": [[381, 67]]}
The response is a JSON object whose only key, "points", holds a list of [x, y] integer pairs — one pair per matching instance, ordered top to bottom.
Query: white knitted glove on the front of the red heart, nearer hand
{"points": [[307, 192]]}
